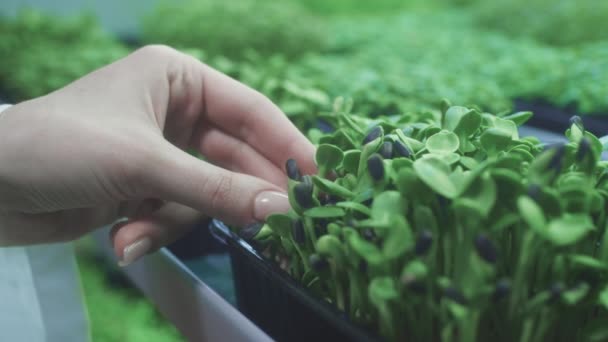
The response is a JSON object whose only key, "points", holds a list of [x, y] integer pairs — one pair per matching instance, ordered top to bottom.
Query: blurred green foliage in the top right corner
{"points": [[555, 22]]}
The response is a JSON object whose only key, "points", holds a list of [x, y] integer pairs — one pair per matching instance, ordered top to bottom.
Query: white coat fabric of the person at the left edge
{"points": [[40, 293]]}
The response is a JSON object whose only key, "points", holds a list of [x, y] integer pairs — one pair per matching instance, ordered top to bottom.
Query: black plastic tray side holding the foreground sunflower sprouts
{"points": [[279, 305]]}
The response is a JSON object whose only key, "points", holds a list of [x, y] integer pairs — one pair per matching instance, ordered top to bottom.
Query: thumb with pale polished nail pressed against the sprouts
{"points": [[229, 196]]}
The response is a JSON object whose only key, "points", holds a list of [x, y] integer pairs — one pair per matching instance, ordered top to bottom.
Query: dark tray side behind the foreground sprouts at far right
{"points": [[556, 119]]}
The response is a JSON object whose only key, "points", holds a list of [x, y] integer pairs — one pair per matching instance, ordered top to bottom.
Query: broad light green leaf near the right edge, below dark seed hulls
{"points": [[569, 229]]}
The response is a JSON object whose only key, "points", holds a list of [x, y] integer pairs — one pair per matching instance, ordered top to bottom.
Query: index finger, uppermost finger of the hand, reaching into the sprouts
{"points": [[253, 118]]}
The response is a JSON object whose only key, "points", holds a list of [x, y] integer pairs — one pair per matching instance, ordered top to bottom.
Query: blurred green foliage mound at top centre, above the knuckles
{"points": [[235, 28]]}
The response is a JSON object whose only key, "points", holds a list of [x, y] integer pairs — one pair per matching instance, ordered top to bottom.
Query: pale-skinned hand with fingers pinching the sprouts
{"points": [[112, 145]]}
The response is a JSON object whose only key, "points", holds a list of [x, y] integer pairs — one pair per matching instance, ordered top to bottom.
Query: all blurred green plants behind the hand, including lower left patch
{"points": [[389, 56]]}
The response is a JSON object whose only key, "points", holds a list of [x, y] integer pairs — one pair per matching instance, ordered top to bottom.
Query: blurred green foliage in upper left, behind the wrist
{"points": [[41, 53]]}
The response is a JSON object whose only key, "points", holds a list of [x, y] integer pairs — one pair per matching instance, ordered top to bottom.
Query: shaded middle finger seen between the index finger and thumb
{"points": [[235, 155]]}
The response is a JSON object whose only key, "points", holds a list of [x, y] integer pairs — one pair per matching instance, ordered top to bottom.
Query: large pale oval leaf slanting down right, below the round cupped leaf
{"points": [[435, 174]]}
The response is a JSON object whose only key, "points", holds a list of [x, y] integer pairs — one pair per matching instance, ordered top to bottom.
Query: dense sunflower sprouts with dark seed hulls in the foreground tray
{"points": [[476, 235]]}
